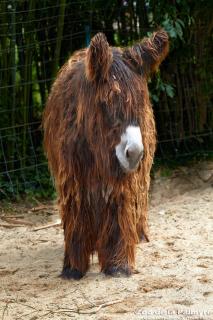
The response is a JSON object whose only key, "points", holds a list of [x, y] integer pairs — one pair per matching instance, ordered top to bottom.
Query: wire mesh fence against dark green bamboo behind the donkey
{"points": [[36, 38]]}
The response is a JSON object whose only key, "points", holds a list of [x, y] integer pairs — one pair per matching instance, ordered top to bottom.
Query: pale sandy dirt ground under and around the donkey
{"points": [[174, 272]]}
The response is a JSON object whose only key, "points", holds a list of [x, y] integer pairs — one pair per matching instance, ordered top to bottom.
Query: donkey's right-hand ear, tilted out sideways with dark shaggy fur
{"points": [[146, 56]]}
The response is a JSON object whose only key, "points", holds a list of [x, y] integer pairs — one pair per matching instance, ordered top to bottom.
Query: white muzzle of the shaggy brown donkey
{"points": [[130, 149]]}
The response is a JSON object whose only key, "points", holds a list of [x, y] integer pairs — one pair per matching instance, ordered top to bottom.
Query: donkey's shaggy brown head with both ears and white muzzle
{"points": [[120, 76]]}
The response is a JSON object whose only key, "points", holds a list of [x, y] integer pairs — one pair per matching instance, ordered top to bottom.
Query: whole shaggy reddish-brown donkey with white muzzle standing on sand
{"points": [[99, 136]]}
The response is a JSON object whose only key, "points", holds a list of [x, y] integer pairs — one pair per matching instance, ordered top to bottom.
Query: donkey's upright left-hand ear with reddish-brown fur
{"points": [[98, 58]]}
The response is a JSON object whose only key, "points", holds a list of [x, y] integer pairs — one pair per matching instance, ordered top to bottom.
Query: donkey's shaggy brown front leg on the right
{"points": [[117, 240]]}
